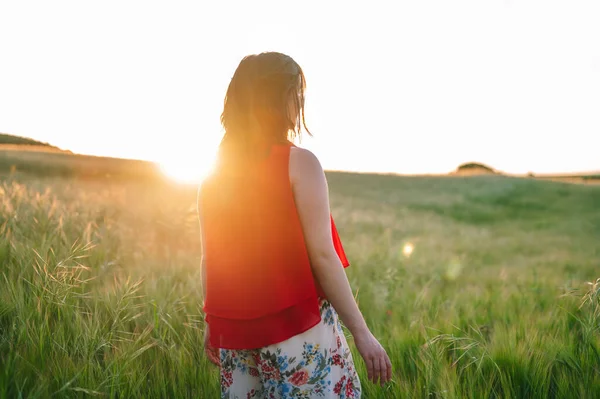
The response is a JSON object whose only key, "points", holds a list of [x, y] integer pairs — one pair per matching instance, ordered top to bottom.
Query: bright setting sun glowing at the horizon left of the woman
{"points": [[187, 170]]}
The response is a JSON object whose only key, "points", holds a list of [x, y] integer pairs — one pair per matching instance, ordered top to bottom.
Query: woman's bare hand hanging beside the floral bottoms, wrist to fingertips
{"points": [[376, 359]]}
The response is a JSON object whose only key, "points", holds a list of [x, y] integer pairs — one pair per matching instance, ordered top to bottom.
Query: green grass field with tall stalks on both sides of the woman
{"points": [[100, 285]]}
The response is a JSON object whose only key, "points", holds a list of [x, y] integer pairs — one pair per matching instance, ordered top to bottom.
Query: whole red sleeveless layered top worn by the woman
{"points": [[260, 288]]}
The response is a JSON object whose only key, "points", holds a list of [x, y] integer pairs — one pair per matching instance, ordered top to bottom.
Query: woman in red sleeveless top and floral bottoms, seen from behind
{"points": [[272, 261]]}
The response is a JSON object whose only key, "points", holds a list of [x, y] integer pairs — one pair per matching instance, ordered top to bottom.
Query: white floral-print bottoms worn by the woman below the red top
{"points": [[314, 364]]}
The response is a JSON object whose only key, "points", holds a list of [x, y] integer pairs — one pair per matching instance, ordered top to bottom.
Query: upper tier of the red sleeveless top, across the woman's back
{"points": [[253, 233]]}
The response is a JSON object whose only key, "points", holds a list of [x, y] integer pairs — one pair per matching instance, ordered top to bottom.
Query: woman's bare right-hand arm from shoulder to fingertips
{"points": [[311, 194]]}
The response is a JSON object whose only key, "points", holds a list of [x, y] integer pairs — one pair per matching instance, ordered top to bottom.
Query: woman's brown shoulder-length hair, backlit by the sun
{"points": [[256, 107]]}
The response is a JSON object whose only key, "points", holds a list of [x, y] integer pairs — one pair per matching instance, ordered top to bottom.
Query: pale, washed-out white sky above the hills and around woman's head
{"points": [[397, 86]]}
